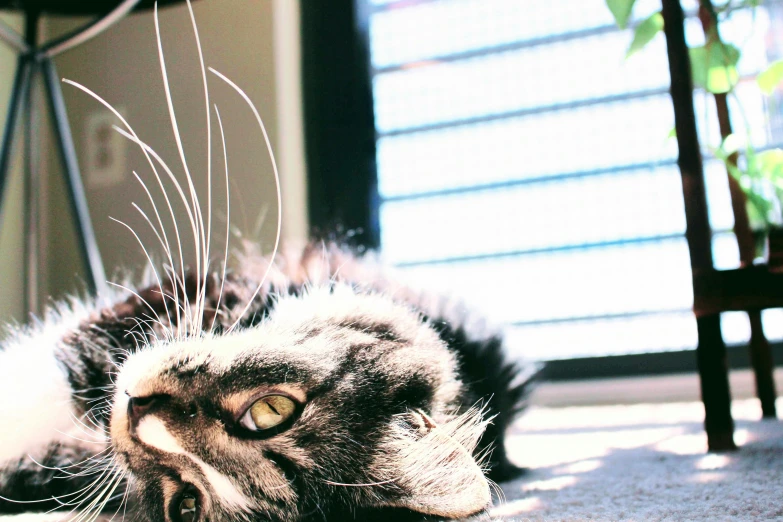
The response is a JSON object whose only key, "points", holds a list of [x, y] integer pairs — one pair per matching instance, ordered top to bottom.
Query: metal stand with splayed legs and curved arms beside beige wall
{"points": [[36, 61]]}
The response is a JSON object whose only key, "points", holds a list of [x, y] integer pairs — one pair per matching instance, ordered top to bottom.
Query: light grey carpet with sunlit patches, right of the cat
{"points": [[643, 462]]}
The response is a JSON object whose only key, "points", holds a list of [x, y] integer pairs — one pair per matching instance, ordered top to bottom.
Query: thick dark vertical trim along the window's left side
{"points": [[340, 124]]}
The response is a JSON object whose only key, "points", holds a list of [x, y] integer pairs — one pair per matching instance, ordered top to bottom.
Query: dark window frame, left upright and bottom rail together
{"points": [[343, 197]]}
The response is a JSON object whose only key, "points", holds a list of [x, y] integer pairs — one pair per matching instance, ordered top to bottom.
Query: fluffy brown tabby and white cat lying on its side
{"points": [[305, 385]]}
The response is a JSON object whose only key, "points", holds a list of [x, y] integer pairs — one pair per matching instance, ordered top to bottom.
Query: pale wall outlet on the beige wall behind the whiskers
{"points": [[106, 150]]}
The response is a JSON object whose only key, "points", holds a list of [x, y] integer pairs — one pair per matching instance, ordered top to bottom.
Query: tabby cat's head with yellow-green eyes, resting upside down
{"points": [[336, 401]]}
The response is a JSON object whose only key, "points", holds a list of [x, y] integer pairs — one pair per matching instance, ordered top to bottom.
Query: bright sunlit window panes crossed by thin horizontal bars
{"points": [[524, 164]]}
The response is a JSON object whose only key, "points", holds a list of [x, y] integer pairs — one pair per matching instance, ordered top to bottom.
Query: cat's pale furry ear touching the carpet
{"points": [[432, 466]]}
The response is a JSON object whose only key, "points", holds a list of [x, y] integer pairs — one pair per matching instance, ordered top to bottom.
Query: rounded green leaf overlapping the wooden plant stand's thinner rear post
{"points": [[714, 67]]}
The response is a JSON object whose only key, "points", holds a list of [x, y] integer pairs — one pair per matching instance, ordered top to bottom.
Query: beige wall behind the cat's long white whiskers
{"points": [[255, 43]]}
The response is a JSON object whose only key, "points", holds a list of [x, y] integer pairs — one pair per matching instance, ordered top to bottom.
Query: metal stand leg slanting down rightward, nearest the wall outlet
{"points": [[96, 278]]}
